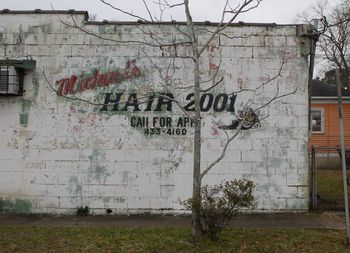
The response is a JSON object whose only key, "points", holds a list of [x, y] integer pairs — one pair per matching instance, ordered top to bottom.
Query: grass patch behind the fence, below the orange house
{"points": [[330, 189]]}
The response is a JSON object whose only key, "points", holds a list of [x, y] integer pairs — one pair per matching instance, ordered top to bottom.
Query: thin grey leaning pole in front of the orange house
{"points": [[342, 147]]}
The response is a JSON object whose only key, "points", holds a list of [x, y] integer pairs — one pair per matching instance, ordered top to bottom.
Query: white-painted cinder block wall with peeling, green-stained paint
{"points": [[57, 153]]}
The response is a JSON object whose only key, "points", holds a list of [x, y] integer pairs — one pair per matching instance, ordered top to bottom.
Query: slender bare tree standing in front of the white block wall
{"points": [[187, 47]]}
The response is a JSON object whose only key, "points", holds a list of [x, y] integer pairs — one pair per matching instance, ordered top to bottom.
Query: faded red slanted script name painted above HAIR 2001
{"points": [[84, 82]]}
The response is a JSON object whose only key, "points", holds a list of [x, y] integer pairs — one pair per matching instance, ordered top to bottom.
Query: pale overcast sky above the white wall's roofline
{"points": [[269, 11]]}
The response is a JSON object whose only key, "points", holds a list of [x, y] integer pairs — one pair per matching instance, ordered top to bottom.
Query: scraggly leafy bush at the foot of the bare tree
{"points": [[221, 202]]}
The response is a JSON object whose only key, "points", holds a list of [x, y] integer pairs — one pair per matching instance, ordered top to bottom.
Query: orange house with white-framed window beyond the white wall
{"points": [[325, 123]]}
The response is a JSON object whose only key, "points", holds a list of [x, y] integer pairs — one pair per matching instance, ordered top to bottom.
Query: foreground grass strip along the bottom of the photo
{"points": [[166, 240]]}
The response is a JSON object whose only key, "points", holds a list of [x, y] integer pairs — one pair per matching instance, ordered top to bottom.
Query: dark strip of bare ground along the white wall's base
{"points": [[329, 220]]}
